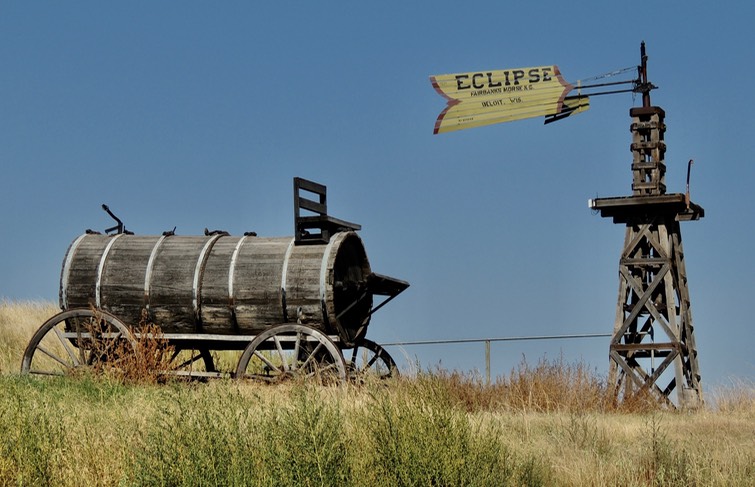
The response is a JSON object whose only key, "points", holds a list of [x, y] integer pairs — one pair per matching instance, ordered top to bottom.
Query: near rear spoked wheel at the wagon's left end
{"points": [[76, 339]]}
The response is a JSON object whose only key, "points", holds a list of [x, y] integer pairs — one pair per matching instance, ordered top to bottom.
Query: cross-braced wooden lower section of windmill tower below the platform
{"points": [[653, 349]]}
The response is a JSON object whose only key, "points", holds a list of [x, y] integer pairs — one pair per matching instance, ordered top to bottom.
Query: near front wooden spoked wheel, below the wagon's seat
{"points": [[291, 351]]}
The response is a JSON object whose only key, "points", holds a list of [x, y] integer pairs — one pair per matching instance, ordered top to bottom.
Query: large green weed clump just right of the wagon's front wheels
{"points": [[419, 438]]}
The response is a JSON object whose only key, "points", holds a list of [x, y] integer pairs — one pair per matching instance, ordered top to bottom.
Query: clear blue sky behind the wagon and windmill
{"points": [[199, 114]]}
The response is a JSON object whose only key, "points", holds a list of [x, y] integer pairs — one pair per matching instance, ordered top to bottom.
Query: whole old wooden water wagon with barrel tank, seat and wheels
{"points": [[293, 305]]}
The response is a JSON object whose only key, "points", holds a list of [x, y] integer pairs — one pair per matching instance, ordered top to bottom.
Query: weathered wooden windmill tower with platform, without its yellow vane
{"points": [[653, 348]]}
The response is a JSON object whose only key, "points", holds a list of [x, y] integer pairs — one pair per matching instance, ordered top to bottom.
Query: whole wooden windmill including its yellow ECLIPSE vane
{"points": [[652, 349]]}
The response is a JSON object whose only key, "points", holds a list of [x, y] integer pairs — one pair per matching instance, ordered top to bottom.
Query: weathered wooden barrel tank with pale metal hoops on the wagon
{"points": [[220, 284]]}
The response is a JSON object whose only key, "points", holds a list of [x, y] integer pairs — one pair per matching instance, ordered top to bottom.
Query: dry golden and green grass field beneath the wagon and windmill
{"points": [[544, 424]]}
